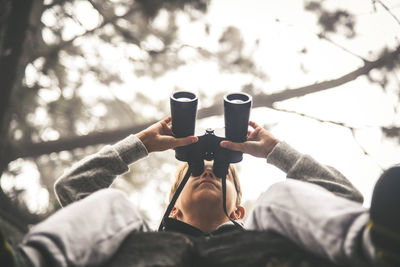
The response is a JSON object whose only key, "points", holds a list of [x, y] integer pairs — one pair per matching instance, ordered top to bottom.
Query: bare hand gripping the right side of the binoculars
{"points": [[259, 142]]}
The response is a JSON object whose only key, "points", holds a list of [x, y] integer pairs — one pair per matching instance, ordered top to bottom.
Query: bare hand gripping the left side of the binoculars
{"points": [[158, 137]]}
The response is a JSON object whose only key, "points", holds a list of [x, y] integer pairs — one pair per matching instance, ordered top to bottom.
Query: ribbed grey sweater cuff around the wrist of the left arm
{"points": [[131, 149]]}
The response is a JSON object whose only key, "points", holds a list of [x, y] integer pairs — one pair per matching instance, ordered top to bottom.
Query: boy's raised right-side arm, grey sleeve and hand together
{"points": [[297, 166]]}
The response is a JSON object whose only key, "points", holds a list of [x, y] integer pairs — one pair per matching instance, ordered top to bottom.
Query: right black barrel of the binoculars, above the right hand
{"points": [[237, 112]]}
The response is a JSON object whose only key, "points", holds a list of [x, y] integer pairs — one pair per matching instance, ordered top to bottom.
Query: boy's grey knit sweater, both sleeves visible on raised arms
{"points": [[100, 170]]}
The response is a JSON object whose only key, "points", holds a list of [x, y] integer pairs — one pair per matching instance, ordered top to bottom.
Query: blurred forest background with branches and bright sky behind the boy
{"points": [[78, 74]]}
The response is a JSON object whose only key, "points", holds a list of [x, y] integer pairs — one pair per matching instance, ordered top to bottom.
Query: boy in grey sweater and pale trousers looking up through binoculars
{"points": [[88, 232]]}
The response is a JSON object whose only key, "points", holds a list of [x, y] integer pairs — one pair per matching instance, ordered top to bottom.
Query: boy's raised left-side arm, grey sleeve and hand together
{"points": [[99, 170]]}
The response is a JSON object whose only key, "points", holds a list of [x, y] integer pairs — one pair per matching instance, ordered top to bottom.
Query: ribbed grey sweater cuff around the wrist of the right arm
{"points": [[283, 156]]}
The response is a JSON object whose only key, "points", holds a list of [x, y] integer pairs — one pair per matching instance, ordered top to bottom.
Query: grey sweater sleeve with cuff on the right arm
{"points": [[305, 168]]}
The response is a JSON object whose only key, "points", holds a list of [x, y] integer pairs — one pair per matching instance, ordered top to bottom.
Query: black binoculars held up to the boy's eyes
{"points": [[236, 115]]}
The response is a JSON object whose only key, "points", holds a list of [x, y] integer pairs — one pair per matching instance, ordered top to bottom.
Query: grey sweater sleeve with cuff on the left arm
{"points": [[99, 170]]}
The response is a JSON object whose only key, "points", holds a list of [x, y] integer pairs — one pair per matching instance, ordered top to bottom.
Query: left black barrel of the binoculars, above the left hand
{"points": [[183, 112]]}
